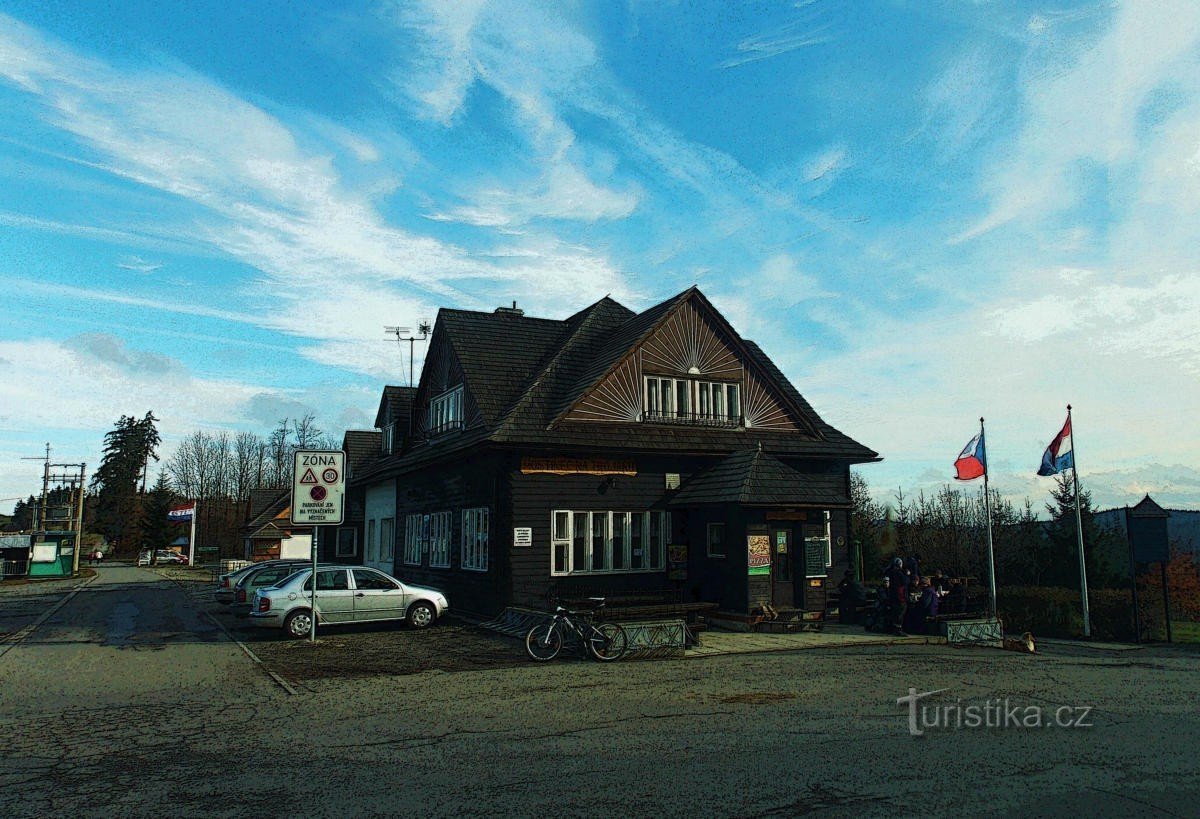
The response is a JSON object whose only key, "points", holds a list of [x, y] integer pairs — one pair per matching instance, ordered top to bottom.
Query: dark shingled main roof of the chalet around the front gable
{"points": [[525, 374]]}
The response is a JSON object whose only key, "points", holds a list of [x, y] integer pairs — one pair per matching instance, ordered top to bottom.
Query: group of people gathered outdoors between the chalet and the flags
{"points": [[908, 600]]}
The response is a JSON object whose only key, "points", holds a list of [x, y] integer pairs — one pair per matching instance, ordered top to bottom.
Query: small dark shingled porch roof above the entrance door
{"points": [[753, 477]]}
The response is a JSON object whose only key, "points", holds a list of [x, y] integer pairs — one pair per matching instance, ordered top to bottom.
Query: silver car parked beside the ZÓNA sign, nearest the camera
{"points": [[345, 595]]}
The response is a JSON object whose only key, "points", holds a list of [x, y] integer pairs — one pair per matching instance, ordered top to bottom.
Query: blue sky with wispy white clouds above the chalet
{"points": [[923, 212]]}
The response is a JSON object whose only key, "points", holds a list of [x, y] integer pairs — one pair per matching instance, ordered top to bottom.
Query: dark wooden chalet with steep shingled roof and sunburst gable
{"points": [[619, 453]]}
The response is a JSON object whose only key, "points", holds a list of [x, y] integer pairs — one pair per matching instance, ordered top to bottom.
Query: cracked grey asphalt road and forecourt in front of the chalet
{"points": [[129, 702]]}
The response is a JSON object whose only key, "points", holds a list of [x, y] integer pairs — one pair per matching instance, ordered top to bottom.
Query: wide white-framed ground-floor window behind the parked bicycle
{"points": [[609, 542]]}
